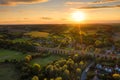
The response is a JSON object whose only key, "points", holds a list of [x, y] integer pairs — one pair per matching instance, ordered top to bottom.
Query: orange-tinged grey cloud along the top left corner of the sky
{"points": [[16, 2]]}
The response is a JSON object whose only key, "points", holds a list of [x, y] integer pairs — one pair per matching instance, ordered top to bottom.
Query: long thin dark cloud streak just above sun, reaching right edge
{"points": [[98, 7]]}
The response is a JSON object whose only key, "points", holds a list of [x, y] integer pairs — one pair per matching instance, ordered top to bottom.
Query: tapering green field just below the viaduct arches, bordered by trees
{"points": [[46, 60]]}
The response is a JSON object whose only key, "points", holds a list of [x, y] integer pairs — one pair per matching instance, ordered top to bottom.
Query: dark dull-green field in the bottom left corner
{"points": [[7, 72]]}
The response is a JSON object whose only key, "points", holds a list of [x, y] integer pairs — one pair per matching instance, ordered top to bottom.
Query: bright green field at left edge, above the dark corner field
{"points": [[9, 54]]}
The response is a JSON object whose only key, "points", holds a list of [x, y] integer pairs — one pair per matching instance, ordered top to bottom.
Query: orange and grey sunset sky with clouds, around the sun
{"points": [[58, 11]]}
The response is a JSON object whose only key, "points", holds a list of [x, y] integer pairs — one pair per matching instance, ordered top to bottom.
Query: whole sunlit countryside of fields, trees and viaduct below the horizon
{"points": [[59, 54]]}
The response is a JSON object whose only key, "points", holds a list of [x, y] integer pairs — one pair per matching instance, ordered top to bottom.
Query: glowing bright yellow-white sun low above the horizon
{"points": [[78, 16]]}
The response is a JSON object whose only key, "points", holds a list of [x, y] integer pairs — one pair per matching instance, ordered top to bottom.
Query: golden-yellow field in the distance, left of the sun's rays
{"points": [[37, 34]]}
